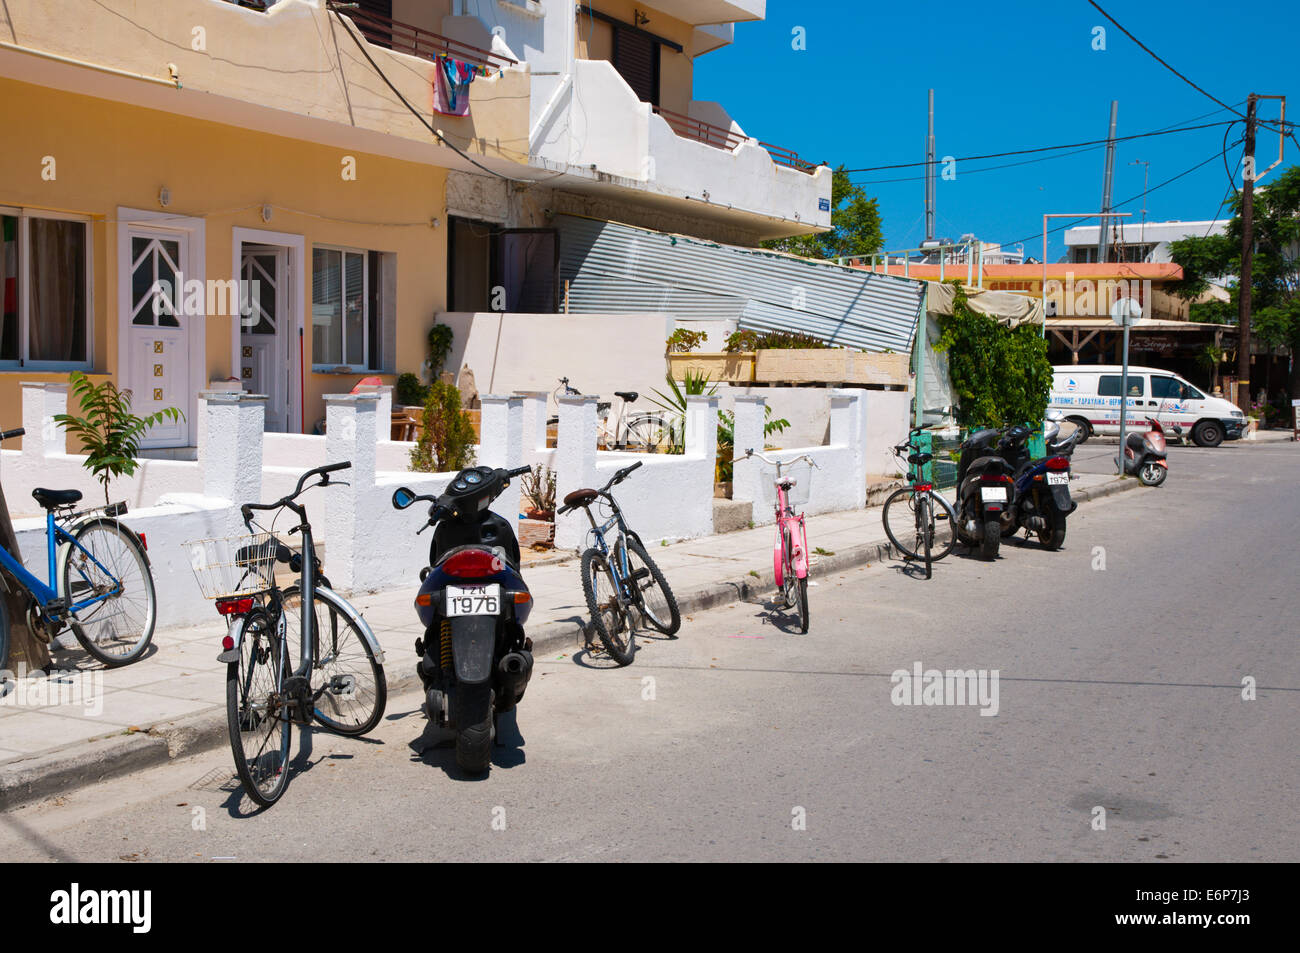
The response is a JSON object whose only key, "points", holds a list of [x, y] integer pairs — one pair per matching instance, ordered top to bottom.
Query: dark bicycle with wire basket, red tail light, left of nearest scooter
{"points": [[339, 681]]}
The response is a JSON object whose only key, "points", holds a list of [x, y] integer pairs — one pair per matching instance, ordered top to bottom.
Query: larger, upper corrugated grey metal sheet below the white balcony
{"points": [[617, 270]]}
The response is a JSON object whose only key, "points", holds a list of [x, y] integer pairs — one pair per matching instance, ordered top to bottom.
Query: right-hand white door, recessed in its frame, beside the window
{"points": [[266, 330]]}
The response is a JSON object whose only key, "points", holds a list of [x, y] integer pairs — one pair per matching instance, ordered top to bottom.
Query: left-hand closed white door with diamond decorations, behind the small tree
{"points": [[158, 332]]}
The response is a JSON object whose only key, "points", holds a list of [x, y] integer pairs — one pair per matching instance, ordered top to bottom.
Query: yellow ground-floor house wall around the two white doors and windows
{"points": [[110, 154]]}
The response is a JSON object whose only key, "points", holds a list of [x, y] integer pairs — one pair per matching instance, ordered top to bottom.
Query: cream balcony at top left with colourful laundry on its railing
{"points": [[292, 68]]}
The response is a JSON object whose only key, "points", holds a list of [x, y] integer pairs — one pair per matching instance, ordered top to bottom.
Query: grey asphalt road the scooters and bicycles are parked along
{"points": [[1119, 688]]}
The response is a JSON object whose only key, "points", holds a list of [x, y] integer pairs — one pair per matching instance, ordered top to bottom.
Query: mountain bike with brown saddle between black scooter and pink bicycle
{"points": [[621, 579]]}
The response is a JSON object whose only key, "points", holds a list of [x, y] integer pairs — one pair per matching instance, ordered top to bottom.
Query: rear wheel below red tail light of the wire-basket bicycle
{"points": [[261, 733]]}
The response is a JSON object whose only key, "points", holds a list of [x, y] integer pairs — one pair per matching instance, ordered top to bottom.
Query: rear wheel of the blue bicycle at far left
{"points": [[119, 629]]}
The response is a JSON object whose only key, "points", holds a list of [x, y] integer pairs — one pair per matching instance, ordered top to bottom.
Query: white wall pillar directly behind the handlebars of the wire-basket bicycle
{"points": [[352, 525]]}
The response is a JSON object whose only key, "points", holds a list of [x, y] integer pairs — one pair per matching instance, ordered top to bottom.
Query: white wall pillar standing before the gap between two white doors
{"points": [[231, 461]]}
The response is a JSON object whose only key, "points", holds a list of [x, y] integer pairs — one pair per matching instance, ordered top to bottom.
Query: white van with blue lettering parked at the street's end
{"points": [[1089, 395]]}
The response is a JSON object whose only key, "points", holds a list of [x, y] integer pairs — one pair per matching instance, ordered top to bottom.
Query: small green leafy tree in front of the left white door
{"points": [[107, 430]]}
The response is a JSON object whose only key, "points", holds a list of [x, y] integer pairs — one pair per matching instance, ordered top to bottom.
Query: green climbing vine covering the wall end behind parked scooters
{"points": [[1000, 375]]}
